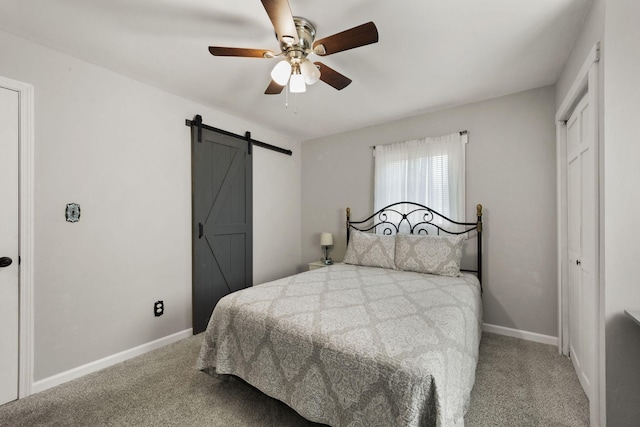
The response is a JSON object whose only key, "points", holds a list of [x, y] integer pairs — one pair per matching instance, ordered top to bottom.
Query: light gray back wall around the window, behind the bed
{"points": [[511, 170]]}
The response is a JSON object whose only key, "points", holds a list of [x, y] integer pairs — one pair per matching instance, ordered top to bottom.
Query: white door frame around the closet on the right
{"points": [[586, 83]]}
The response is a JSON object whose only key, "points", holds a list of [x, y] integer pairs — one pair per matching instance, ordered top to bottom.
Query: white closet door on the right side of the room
{"points": [[582, 239]]}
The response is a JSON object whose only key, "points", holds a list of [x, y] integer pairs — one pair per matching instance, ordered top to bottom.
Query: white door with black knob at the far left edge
{"points": [[9, 245]]}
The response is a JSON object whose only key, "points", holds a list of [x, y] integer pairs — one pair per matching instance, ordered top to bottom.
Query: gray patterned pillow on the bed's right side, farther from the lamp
{"points": [[439, 255]]}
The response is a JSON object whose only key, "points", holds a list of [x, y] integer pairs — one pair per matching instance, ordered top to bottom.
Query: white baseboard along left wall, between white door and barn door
{"points": [[94, 366]]}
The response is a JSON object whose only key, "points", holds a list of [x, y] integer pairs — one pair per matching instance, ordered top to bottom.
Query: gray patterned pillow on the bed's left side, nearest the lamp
{"points": [[371, 250]]}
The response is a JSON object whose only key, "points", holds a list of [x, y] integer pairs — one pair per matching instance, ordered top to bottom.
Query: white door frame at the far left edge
{"points": [[26, 228]]}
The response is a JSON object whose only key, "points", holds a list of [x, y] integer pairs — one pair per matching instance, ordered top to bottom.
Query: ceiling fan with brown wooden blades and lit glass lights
{"points": [[297, 41]]}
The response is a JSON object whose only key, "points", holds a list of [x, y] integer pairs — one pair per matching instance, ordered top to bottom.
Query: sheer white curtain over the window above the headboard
{"points": [[429, 171]]}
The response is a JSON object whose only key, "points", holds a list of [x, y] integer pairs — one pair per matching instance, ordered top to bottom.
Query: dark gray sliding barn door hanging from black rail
{"points": [[222, 220]]}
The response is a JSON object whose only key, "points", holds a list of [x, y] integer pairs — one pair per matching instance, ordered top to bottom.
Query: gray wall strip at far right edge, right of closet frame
{"points": [[621, 206]]}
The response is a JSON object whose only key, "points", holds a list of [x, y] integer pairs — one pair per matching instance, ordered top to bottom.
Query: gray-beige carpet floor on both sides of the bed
{"points": [[518, 383]]}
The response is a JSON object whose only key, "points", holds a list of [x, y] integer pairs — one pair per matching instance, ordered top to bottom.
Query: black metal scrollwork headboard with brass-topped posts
{"points": [[414, 218]]}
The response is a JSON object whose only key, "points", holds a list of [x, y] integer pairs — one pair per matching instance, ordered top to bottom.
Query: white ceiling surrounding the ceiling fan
{"points": [[432, 54]]}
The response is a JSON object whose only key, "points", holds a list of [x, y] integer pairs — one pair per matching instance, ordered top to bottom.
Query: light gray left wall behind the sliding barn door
{"points": [[121, 150]]}
